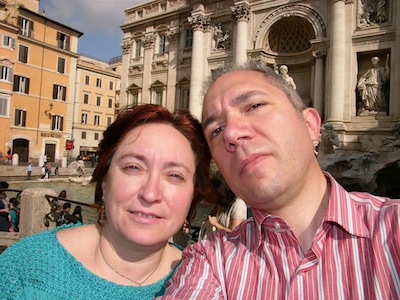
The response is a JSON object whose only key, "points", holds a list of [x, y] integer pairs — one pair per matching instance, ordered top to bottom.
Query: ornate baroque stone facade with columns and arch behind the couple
{"points": [[171, 46]]}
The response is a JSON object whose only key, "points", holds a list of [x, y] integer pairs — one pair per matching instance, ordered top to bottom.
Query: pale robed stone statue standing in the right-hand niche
{"points": [[371, 87]]}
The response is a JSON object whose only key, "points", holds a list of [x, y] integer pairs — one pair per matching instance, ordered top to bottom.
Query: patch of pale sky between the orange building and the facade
{"points": [[98, 20]]}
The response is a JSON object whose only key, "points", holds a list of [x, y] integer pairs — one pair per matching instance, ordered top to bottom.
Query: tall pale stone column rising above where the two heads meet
{"points": [[199, 22]]}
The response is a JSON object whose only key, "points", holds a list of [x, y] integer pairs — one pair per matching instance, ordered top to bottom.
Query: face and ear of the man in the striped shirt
{"points": [[261, 144]]}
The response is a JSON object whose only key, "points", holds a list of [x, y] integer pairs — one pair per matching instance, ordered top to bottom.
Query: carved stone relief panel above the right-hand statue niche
{"points": [[373, 12]]}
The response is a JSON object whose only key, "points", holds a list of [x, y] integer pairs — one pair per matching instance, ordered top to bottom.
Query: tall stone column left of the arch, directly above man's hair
{"points": [[241, 13]]}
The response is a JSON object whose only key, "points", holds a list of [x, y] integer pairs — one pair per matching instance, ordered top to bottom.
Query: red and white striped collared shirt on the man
{"points": [[355, 254]]}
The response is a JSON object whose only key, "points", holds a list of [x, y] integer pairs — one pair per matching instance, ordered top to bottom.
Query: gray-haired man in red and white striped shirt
{"points": [[309, 239]]}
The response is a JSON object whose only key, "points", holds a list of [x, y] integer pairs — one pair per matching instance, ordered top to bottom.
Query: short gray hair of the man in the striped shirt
{"points": [[258, 66]]}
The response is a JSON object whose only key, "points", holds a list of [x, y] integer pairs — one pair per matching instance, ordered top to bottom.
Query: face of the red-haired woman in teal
{"points": [[150, 185]]}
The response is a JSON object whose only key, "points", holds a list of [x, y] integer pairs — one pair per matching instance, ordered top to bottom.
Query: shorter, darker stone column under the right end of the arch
{"points": [[319, 82]]}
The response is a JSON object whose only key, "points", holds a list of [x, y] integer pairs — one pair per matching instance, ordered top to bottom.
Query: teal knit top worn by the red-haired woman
{"points": [[39, 267]]}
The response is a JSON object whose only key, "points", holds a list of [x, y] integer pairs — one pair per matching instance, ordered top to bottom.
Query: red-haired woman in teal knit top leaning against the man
{"points": [[153, 167]]}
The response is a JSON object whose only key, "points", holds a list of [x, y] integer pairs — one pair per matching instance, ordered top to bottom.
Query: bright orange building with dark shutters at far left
{"points": [[40, 109]]}
